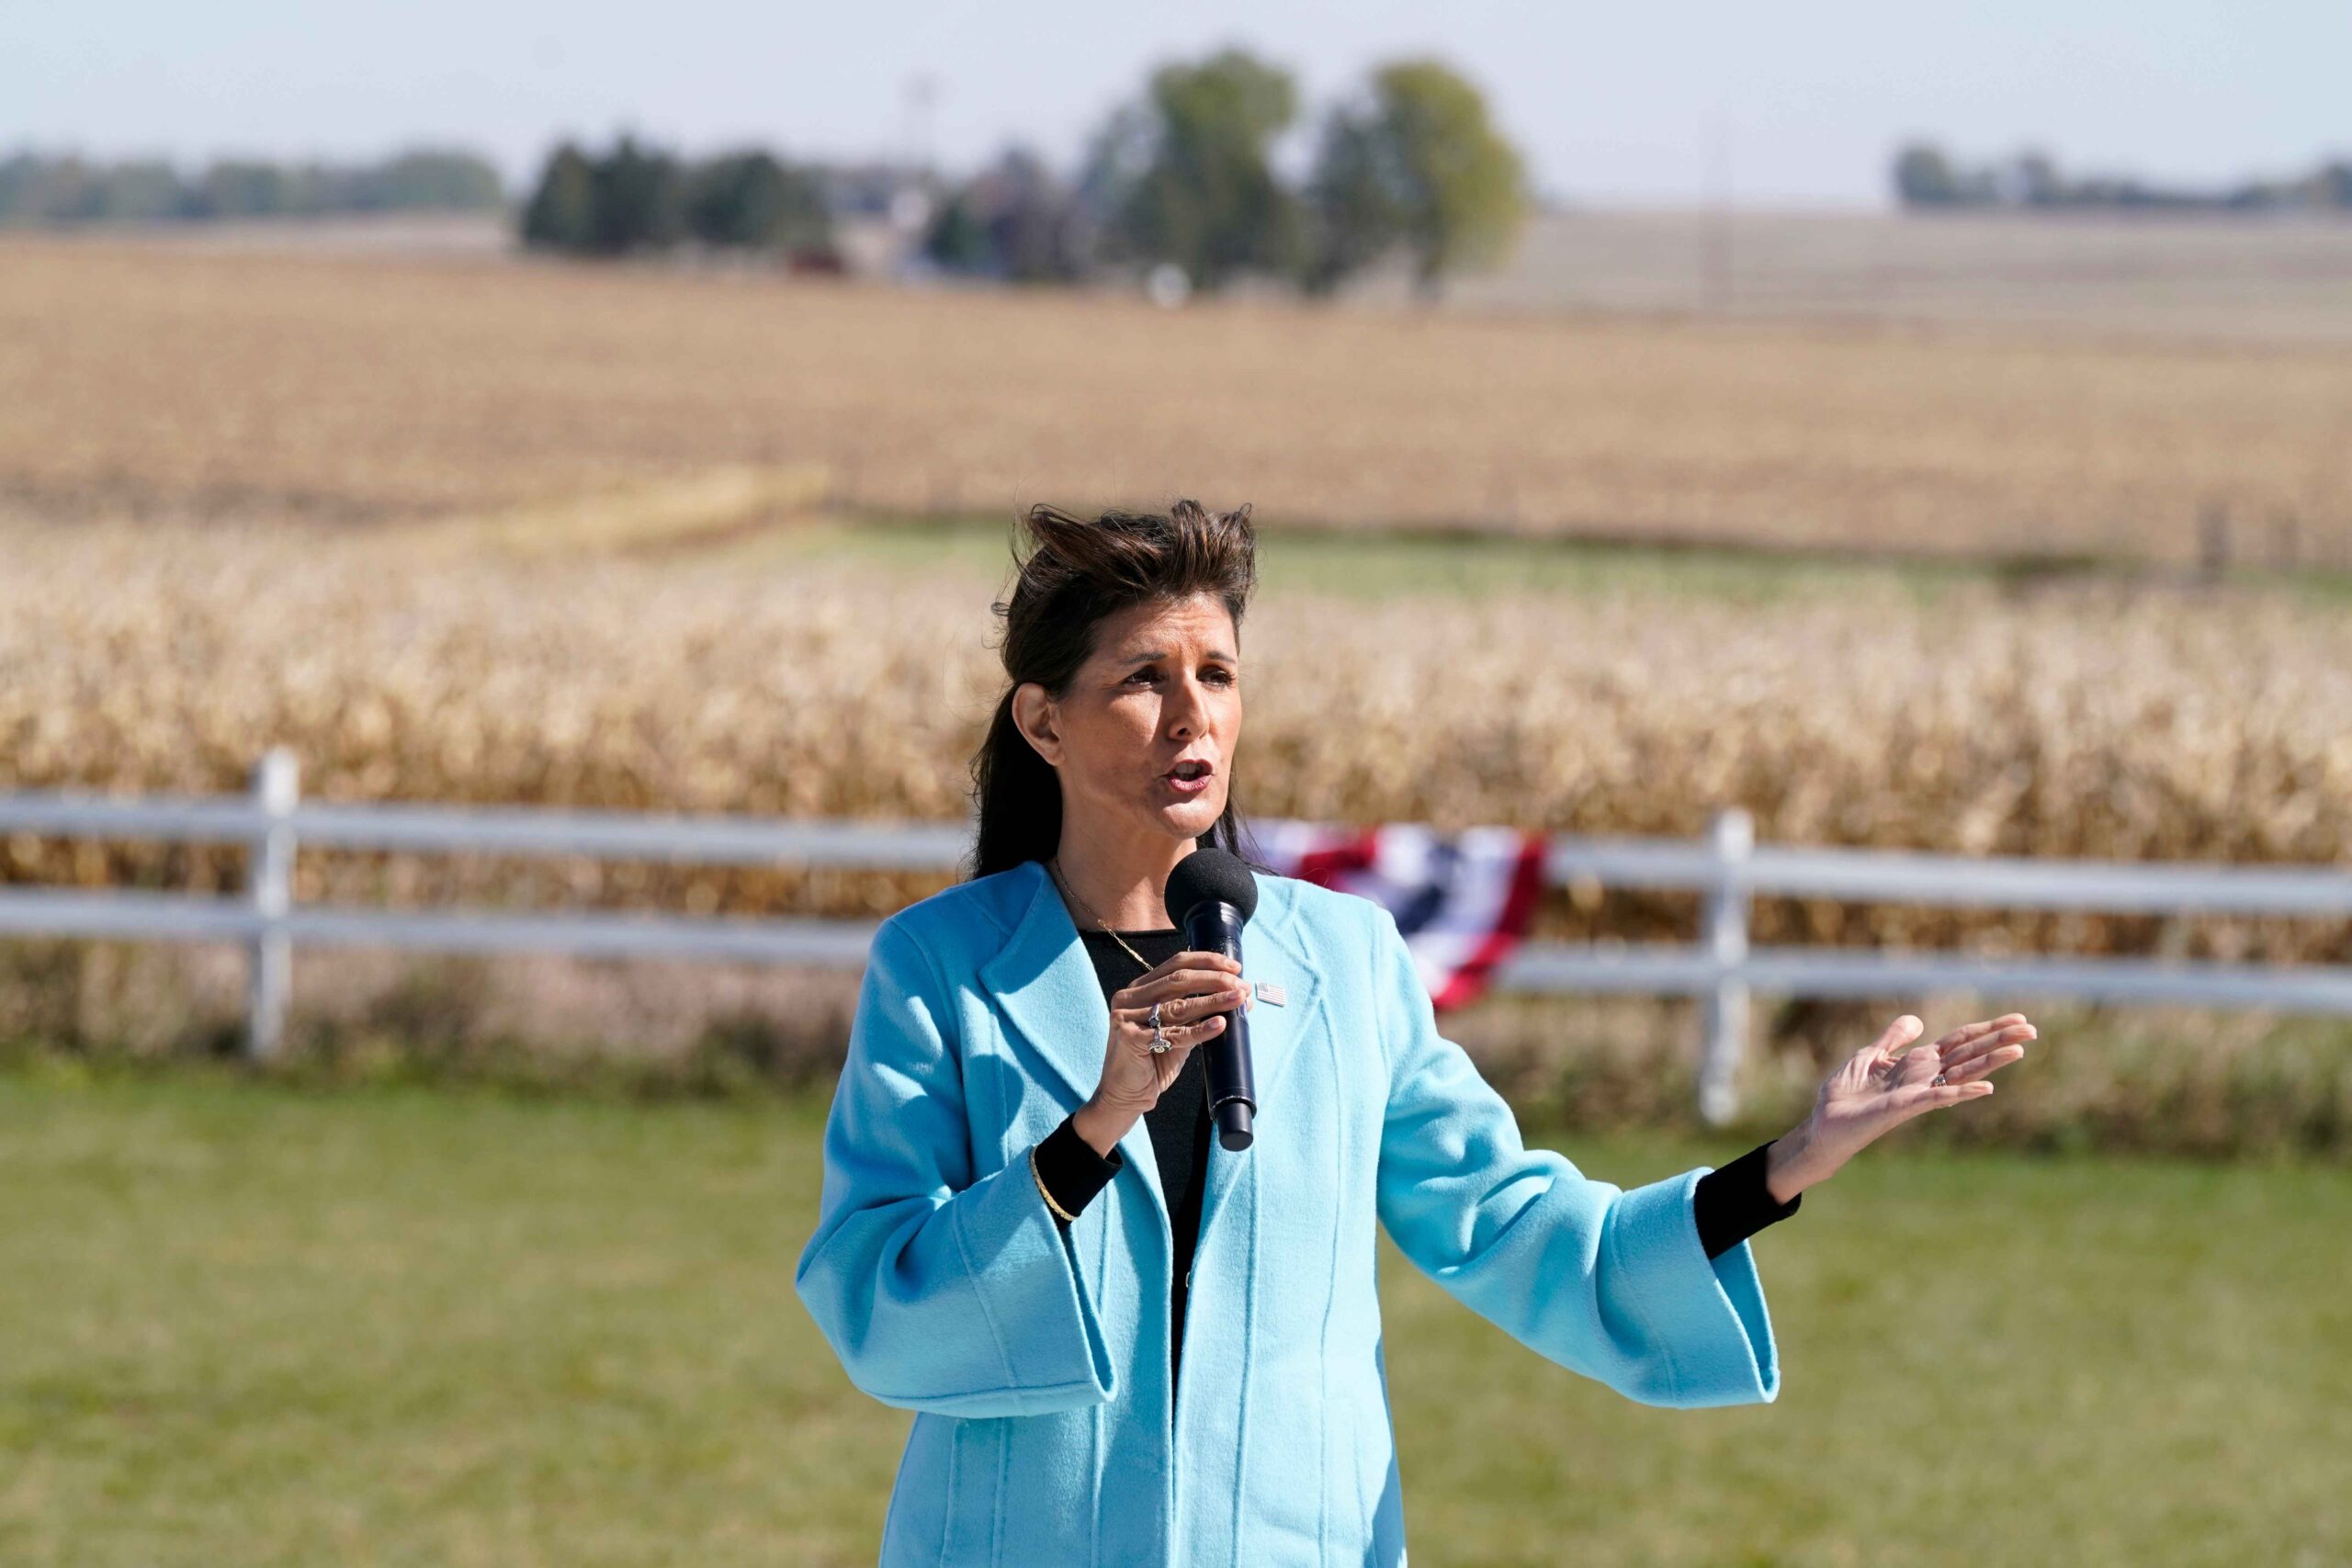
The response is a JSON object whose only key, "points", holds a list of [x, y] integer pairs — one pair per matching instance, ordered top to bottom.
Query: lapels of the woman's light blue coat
{"points": [[1055, 1005]]}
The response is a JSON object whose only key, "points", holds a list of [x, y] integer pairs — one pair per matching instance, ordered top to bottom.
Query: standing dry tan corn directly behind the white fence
{"points": [[730, 678]]}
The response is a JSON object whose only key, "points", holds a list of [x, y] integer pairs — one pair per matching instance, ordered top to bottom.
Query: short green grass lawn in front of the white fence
{"points": [[255, 1325]]}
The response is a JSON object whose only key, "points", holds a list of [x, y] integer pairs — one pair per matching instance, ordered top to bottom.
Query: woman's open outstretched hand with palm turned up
{"points": [[1883, 1087]]}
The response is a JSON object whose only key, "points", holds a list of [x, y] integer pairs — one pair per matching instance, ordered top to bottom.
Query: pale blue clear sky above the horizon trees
{"points": [[1612, 105]]}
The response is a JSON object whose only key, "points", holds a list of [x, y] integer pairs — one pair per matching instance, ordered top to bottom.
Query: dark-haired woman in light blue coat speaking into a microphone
{"points": [[1123, 1341]]}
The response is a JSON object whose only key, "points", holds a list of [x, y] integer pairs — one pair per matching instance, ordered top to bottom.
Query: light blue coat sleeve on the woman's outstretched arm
{"points": [[1603, 1280]]}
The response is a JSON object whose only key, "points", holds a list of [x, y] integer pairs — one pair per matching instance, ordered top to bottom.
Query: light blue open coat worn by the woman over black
{"points": [[1038, 1362]]}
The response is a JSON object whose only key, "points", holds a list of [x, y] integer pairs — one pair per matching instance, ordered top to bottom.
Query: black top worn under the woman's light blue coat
{"points": [[1730, 1202]]}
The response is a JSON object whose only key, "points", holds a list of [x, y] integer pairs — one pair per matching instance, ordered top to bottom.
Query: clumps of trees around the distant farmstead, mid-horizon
{"points": [[1180, 177]]}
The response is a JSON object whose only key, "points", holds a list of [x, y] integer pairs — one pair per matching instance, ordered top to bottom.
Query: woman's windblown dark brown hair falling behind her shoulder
{"points": [[1074, 577]]}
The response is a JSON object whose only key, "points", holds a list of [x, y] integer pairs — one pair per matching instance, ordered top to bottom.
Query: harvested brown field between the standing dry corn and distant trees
{"points": [[187, 382]]}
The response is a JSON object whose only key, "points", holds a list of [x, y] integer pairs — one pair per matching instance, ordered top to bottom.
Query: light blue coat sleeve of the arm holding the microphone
{"points": [[937, 1289]]}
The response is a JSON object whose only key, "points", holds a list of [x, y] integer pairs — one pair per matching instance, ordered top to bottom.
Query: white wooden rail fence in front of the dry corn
{"points": [[1723, 970]]}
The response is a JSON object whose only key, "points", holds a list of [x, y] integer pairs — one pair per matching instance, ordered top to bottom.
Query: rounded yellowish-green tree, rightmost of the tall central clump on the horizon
{"points": [[1415, 163]]}
